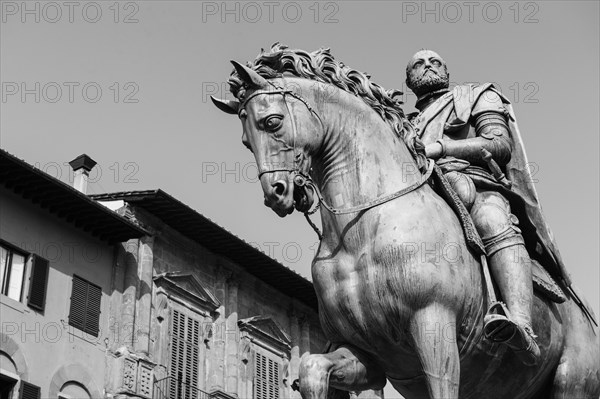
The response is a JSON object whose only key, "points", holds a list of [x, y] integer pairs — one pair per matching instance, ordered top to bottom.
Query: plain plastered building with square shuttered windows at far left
{"points": [[57, 251]]}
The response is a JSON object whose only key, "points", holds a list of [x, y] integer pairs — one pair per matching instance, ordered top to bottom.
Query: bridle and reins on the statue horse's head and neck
{"points": [[302, 179]]}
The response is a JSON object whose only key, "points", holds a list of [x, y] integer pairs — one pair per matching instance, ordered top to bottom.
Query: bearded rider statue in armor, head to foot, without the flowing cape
{"points": [[455, 126]]}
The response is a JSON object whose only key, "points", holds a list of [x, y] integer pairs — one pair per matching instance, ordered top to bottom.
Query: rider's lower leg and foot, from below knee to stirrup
{"points": [[511, 268]]}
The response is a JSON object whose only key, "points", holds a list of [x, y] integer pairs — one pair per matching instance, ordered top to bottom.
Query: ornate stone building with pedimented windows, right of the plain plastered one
{"points": [[214, 317]]}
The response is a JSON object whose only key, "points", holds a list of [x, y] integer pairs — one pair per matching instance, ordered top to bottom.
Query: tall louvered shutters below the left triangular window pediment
{"points": [[185, 356]]}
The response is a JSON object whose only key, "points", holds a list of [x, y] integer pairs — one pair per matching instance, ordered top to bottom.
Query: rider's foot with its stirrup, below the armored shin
{"points": [[500, 329]]}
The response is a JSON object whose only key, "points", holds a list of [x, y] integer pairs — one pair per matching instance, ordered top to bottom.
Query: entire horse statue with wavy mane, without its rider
{"points": [[401, 295]]}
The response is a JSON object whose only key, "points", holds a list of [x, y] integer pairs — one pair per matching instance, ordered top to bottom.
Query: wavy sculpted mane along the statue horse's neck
{"points": [[322, 67]]}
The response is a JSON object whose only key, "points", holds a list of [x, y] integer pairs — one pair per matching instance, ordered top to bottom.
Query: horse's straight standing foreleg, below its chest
{"points": [[433, 331]]}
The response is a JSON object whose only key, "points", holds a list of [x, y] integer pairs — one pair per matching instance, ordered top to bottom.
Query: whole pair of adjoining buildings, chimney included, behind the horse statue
{"points": [[137, 295]]}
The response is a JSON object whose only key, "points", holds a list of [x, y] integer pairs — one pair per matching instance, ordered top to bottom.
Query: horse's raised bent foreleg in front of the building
{"points": [[346, 369]]}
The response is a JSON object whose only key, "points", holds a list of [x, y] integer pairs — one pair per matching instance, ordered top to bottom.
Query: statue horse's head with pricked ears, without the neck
{"points": [[280, 128]]}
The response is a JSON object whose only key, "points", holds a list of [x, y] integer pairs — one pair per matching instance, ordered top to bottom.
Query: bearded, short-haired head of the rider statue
{"points": [[426, 72]]}
